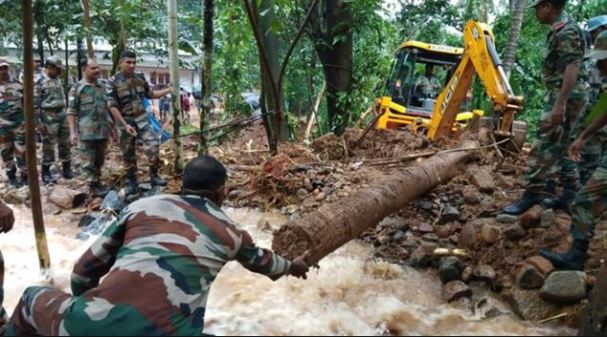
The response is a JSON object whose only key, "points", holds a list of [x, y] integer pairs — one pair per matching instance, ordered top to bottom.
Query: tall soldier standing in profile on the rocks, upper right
{"points": [[565, 102]]}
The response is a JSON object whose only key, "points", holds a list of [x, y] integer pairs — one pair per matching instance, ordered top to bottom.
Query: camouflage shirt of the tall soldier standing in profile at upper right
{"points": [[565, 45]]}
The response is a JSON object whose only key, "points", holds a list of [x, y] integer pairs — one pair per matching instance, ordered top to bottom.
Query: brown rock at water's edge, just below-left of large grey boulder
{"points": [[529, 305]]}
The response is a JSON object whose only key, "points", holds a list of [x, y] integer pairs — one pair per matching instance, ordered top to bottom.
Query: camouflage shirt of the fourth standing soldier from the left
{"points": [[127, 94]]}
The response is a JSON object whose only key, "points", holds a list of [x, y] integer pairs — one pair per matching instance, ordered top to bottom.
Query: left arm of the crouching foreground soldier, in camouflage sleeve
{"points": [[99, 258]]}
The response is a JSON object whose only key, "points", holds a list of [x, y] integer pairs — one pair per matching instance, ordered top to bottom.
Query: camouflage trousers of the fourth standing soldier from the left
{"points": [[148, 141]]}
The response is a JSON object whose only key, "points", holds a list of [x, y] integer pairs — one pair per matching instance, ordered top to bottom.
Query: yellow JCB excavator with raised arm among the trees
{"points": [[407, 103]]}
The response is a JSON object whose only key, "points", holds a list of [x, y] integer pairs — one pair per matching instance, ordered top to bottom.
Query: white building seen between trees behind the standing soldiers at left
{"points": [[155, 68]]}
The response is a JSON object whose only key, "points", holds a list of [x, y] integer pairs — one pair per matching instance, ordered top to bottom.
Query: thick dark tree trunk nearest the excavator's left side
{"points": [[336, 54]]}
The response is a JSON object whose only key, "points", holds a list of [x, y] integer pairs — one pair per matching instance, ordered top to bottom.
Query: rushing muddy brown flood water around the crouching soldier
{"points": [[351, 293]]}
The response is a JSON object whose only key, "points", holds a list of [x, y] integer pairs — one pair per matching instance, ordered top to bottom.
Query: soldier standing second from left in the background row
{"points": [[49, 103]]}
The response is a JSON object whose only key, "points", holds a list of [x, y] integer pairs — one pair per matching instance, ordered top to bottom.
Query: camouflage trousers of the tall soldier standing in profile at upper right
{"points": [[548, 156]]}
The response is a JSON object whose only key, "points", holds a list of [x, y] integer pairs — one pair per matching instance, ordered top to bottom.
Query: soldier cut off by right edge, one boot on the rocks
{"points": [[591, 201]]}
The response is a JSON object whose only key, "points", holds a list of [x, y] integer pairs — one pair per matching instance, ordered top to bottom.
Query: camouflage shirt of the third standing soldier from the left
{"points": [[88, 102]]}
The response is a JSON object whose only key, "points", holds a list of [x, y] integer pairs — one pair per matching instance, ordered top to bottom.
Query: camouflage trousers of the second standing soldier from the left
{"points": [[57, 133]]}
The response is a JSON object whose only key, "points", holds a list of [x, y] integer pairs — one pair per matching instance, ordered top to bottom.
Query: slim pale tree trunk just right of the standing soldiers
{"points": [[174, 62]]}
